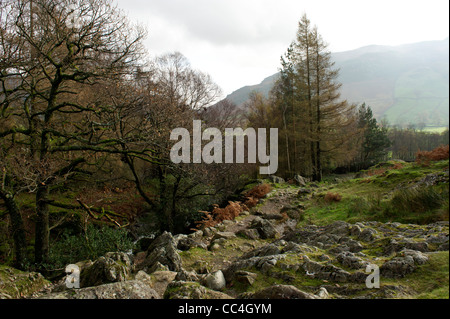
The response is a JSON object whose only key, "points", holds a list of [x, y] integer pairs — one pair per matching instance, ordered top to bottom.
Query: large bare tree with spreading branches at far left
{"points": [[54, 54]]}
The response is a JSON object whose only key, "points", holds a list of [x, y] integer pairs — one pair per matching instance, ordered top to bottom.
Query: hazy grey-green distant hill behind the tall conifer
{"points": [[406, 84]]}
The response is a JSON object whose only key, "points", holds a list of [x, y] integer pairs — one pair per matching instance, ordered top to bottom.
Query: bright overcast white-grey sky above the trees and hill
{"points": [[239, 42]]}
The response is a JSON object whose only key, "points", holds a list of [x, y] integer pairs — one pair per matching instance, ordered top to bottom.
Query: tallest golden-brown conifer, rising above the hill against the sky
{"points": [[309, 89]]}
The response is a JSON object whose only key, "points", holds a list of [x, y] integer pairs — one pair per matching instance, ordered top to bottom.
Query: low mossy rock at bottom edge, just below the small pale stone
{"points": [[192, 290]]}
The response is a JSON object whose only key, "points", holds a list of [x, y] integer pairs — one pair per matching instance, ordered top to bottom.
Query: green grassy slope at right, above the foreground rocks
{"points": [[384, 193]]}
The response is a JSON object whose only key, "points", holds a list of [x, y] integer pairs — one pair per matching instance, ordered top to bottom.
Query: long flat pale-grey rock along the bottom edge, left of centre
{"points": [[131, 289]]}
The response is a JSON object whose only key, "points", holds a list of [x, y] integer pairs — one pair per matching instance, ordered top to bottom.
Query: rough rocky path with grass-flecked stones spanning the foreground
{"points": [[265, 254]]}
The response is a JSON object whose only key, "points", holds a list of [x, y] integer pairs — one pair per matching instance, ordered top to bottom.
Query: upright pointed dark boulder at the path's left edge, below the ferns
{"points": [[162, 251]]}
